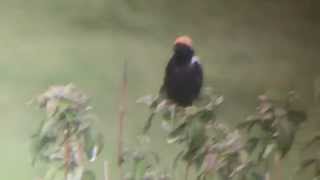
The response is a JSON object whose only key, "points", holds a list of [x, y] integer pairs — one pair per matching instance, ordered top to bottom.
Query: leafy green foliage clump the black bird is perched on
{"points": [[209, 146]]}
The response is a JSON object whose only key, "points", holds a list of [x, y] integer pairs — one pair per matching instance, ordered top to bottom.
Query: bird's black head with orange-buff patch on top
{"points": [[183, 50]]}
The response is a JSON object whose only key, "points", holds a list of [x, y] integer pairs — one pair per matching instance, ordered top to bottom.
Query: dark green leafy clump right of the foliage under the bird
{"points": [[271, 130]]}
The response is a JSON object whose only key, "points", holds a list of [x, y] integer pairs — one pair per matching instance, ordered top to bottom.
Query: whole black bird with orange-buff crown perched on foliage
{"points": [[183, 75]]}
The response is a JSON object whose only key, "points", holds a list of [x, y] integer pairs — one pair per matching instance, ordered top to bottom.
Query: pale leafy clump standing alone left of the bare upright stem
{"points": [[66, 139]]}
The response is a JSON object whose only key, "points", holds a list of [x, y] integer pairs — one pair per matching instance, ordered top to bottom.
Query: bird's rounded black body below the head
{"points": [[182, 83]]}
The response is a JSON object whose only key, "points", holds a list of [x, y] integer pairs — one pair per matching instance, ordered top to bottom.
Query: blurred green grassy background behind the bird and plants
{"points": [[247, 47]]}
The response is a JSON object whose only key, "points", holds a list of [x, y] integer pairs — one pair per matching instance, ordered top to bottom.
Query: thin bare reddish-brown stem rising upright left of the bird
{"points": [[122, 112]]}
